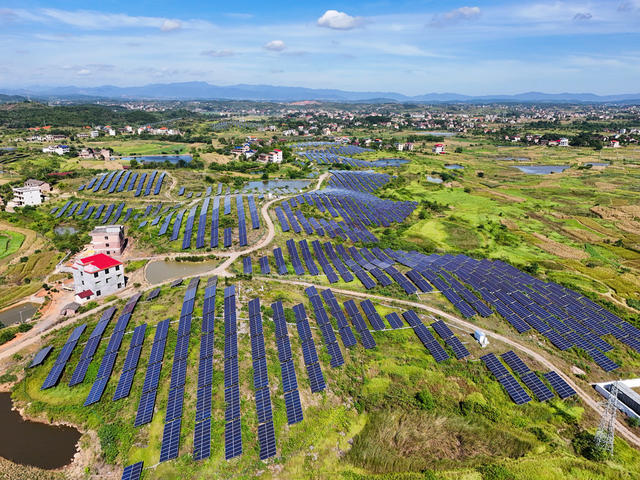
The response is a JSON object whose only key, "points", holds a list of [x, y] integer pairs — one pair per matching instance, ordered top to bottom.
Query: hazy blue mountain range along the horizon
{"points": [[270, 93]]}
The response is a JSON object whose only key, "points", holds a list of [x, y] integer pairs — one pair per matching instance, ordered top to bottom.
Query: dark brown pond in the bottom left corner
{"points": [[33, 443]]}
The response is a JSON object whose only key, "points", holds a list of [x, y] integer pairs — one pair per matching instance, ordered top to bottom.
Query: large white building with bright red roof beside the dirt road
{"points": [[97, 276]]}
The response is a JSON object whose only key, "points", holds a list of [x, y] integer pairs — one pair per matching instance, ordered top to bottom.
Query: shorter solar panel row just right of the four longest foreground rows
{"points": [[287, 368]]}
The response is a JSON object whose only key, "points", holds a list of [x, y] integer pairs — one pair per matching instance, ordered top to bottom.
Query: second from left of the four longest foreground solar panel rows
{"points": [[202, 434]]}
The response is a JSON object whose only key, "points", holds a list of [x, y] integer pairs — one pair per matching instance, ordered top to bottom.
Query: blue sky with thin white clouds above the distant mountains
{"points": [[410, 47]]}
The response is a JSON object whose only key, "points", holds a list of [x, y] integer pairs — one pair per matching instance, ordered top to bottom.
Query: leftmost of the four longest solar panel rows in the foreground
{"points": [[173, 416]]}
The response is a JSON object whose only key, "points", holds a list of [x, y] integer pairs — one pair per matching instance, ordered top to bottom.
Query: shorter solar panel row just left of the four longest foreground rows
{"points": [[147, 403]]}
